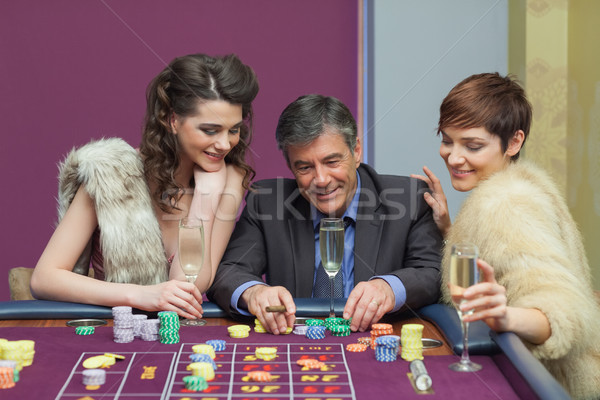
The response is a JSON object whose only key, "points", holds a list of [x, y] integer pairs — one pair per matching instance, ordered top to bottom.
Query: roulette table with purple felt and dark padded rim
{"points": [[153, 370]]}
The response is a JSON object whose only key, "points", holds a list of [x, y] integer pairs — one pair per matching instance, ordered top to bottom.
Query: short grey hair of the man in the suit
{"points": [[309, 117]]}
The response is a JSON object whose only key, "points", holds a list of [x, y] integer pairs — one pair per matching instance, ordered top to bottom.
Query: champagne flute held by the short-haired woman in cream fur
{"points": [[463, 273]]}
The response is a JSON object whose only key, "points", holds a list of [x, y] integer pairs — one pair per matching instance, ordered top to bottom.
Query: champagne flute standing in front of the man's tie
{"points": [[331, 244]]}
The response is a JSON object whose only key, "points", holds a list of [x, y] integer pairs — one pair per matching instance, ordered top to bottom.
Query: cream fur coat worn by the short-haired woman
{"points": [[523, 229]]}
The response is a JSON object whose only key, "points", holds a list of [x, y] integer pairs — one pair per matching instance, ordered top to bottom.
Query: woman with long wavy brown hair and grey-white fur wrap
{"points": [[119, 208]]}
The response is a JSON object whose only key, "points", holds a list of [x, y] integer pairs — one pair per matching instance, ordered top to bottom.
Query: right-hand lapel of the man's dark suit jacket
{"points": [[369, 227]]}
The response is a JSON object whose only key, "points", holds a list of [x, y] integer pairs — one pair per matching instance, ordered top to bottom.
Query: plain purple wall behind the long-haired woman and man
{"points": [[71, 71]]}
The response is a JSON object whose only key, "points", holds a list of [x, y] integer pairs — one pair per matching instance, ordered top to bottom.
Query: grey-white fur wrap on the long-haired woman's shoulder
{"points": [[130, 237]]}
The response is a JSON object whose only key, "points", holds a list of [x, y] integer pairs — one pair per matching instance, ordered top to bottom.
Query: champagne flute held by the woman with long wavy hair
{"points": [[191, 255]]}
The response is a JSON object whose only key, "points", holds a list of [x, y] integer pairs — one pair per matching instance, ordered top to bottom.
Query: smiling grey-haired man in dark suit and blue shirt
{"points": [[392, 245]]}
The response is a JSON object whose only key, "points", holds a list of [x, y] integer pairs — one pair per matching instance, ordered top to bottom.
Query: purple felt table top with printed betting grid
{"points": [[152, 370]]}
